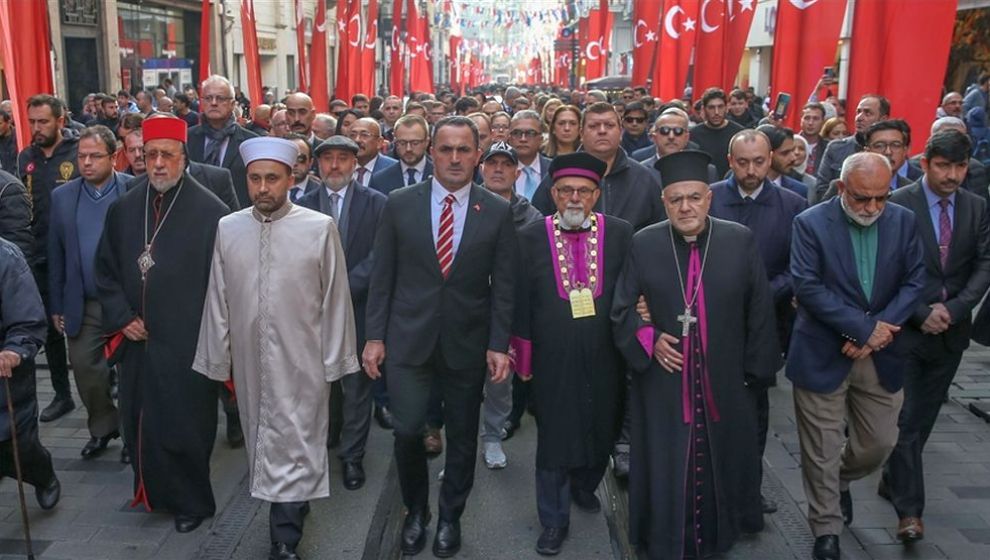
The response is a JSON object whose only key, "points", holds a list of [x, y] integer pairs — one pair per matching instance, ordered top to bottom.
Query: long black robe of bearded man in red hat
{"points": [[168, 411]]}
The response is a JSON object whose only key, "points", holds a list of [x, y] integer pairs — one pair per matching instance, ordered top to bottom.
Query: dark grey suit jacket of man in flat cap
{"points": [[364, 212]]}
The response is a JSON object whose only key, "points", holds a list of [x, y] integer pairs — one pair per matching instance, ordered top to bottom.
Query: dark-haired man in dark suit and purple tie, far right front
{"points": [[955, 233]]}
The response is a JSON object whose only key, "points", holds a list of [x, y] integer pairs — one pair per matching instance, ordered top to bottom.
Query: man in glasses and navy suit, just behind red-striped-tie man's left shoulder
{"points": [[412, 140]]}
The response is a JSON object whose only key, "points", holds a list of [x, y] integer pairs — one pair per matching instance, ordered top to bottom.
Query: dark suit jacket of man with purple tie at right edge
{"points": [[966, 275]]}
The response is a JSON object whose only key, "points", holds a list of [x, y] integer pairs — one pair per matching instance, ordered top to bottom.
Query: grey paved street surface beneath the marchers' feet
{"points": [[93, 520]]}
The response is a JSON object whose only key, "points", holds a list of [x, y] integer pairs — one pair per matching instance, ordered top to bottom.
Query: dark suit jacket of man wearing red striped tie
{"points": [[413, 308]]}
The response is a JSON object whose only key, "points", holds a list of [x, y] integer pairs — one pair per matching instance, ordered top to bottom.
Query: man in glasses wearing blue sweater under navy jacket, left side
{"points": [[78, 210]]}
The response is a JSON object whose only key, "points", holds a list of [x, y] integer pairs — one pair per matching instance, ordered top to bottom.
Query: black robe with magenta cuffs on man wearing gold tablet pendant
{"points": [[576, 370]]}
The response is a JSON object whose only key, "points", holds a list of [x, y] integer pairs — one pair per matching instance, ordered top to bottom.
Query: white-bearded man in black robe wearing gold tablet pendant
{"points": [[569, 265]]}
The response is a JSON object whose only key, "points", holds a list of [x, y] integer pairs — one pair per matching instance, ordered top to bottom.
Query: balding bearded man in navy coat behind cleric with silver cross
{"points": [[750, 198]]}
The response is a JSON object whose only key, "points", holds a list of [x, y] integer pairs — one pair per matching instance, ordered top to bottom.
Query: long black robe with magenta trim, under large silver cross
{"points": [[741, 349]]}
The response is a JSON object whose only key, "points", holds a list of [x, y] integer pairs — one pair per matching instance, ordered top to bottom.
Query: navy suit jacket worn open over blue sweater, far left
{"points": [[65, 277]]}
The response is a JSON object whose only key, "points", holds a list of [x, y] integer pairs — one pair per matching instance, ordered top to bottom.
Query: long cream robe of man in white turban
{"points": [[278, 313]]}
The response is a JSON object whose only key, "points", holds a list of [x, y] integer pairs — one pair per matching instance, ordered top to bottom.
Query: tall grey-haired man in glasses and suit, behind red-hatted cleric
{"points": [[218, 139]]}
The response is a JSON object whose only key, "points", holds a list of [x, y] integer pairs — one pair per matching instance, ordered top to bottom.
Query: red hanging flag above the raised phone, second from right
{"points": [[804, 43]]}
